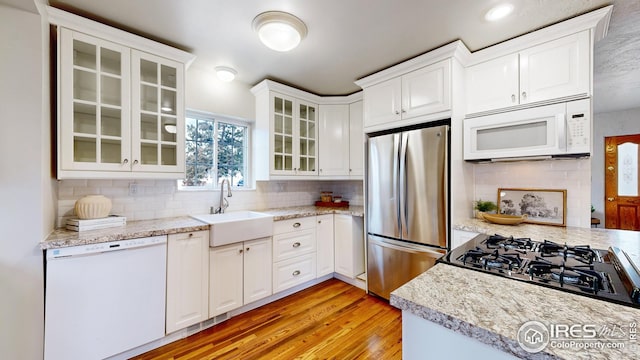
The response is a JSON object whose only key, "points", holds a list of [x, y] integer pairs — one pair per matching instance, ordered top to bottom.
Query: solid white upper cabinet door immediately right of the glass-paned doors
{"points": [[334, 140]]}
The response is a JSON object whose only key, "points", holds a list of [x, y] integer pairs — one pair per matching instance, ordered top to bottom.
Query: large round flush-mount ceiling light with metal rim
{"points": [[279, 31]]}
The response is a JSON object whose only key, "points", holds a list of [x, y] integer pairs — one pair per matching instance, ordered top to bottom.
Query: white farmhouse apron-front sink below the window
{"points": [[236, 226]]}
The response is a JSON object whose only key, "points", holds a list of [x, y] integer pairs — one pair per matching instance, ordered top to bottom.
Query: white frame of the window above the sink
{"points": [[216, 119]]}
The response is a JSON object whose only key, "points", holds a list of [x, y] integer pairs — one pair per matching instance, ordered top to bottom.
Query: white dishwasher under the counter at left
{"points": [[103, 299]]}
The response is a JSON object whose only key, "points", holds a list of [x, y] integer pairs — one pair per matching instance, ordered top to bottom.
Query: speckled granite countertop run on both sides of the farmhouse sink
{"points": [[145, 228]]}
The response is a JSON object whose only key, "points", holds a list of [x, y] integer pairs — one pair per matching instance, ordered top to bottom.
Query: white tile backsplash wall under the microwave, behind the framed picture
{"points": [[573, 175]]}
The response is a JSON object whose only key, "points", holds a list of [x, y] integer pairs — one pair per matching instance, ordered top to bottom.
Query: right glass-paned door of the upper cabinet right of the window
{"points": [[307, 126]]}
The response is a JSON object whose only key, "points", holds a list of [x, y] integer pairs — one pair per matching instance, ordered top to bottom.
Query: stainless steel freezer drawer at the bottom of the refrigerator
{"points": [[392, 263]]}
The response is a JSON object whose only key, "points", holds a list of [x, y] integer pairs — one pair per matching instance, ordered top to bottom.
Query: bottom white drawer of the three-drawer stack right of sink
{"points": [[292, 272]]}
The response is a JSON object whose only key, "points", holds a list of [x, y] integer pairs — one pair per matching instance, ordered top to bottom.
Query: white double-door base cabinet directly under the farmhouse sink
{"points": [[239, 274]]}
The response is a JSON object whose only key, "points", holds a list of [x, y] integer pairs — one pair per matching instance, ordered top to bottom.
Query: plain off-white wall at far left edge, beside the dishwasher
{"points": [[26, 189]]}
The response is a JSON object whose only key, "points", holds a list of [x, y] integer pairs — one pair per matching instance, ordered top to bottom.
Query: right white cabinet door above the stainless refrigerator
{"points": [[427, 90]]}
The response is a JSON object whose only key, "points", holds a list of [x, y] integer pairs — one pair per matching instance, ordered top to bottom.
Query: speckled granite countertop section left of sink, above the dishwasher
{"points": [[132, 230]]}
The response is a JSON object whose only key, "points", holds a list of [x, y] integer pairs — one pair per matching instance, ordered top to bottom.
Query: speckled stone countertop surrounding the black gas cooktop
{"points": [[491, 309]]}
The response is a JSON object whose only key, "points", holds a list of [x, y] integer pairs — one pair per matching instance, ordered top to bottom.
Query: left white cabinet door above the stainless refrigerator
{"points": [[382, 103]]}
